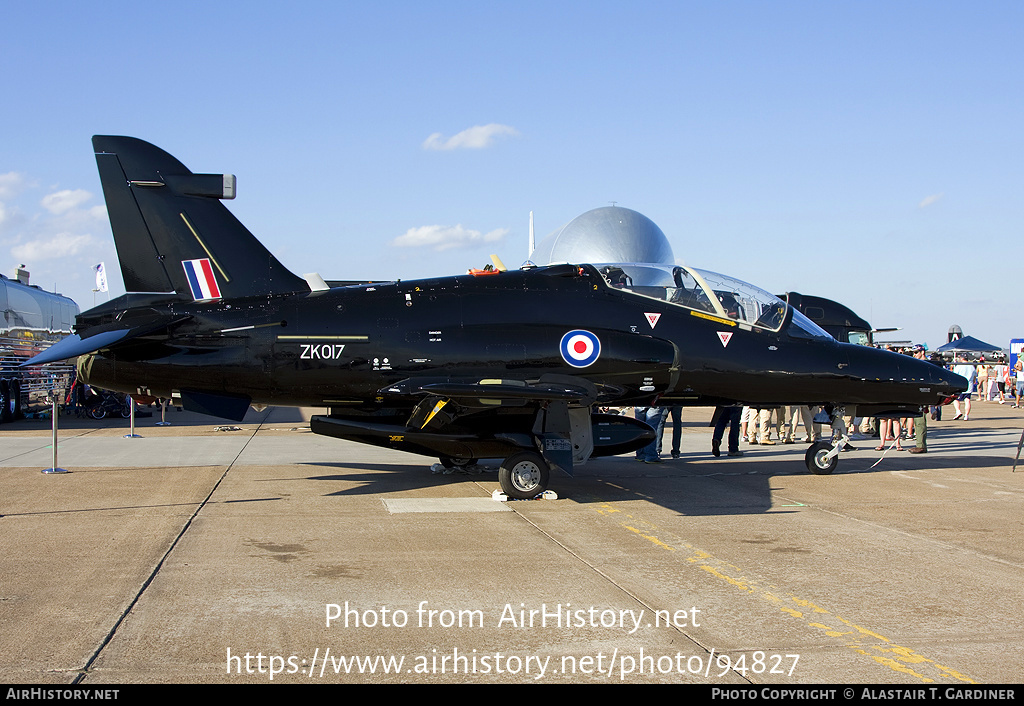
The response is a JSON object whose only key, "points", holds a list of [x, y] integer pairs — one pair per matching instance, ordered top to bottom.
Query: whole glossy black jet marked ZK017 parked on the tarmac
{"points": [[506, 364]]}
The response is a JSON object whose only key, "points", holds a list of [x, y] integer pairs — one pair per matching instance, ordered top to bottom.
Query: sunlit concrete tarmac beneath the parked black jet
{"points": [[267, 554]]}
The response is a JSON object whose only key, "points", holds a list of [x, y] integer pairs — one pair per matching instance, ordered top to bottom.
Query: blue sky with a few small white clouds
{"points": [[867, 152]]}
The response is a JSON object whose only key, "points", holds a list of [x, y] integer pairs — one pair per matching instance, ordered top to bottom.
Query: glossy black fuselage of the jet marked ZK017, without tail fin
{"points": [[348, 346]]}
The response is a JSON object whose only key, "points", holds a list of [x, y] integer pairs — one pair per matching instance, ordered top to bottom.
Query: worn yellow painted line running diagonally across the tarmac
{"points": [[860, 640]]}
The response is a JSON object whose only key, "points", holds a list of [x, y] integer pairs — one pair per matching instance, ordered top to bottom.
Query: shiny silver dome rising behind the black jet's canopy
{"points": [[611, 234]]}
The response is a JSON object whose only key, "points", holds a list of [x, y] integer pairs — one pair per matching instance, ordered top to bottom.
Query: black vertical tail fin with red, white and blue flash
{"points": [[174, 235]]}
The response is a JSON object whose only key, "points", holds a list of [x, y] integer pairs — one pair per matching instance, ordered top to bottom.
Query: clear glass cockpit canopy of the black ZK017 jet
{"points": [[709, 293]]}
